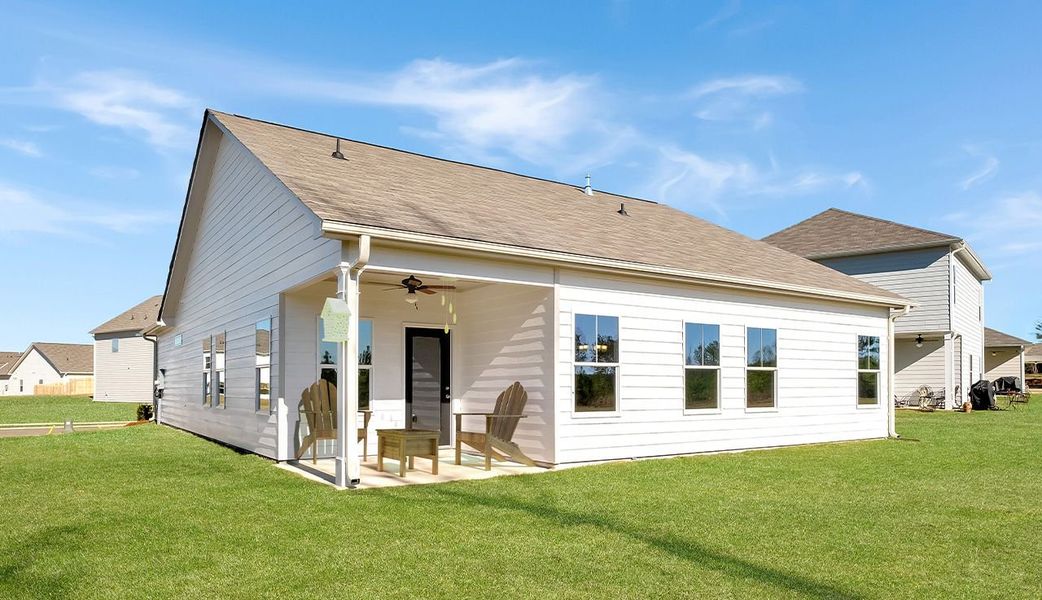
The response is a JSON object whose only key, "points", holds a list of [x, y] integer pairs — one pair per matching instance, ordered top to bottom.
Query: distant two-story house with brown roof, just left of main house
{"points": [[125, 360]]}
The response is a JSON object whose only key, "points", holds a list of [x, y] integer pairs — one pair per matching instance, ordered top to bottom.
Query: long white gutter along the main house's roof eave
{"points": [[337, 230]]}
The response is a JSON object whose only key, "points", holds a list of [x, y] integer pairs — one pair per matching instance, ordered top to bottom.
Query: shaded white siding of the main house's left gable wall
{"points": [[255, 240]]}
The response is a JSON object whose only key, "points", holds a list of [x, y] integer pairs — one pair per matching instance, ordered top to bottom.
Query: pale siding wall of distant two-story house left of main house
{"points": [[127, 376]]}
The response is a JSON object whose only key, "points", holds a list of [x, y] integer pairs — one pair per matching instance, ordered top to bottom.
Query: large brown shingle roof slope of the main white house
{"points": [[379, 187]]}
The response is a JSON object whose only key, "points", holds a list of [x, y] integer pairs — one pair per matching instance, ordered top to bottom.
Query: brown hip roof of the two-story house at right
{"points": [[836, 232]]}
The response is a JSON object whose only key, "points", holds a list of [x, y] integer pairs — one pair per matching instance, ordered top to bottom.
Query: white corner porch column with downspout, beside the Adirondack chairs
{"points": [[349, 467]]}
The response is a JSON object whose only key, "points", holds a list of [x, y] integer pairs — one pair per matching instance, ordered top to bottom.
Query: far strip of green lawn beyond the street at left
{"points": [[58, 409]]}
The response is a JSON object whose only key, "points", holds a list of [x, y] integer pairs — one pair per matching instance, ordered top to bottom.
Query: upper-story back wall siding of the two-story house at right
{"points": [[919, 276]]}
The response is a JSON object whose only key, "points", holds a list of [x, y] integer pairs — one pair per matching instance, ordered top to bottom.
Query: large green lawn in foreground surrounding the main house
{"points": [[955, 511]]}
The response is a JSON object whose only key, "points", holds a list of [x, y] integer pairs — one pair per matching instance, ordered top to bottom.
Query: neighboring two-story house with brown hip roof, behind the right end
{"points": [[940, 342]]}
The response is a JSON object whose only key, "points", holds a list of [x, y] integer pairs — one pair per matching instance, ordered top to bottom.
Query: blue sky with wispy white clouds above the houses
{"points": [[752, 115]]}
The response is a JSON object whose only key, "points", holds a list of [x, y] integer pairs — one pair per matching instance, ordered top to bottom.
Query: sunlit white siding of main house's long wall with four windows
{"points": [[817, 371]]}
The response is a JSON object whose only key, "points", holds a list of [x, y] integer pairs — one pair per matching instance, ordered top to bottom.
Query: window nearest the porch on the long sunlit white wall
{"points": [[597, 364]]}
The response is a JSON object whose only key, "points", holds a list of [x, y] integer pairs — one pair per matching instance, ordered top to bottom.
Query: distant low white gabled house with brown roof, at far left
{"points": [[45, 363]]}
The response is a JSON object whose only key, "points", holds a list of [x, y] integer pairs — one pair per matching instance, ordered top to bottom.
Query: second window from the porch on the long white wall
{"points": [[702, 367]]}
